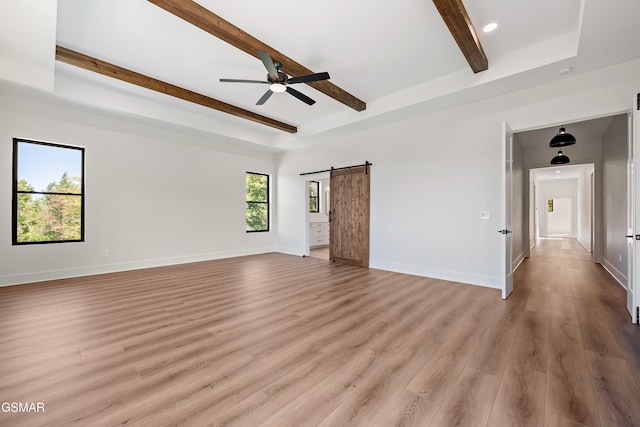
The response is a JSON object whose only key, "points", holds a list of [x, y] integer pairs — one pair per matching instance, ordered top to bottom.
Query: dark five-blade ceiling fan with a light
{"points": [[279, 81]]}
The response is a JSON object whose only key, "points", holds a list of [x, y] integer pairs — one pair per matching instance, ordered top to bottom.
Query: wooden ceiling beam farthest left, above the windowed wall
{"points": [[96, 65]]}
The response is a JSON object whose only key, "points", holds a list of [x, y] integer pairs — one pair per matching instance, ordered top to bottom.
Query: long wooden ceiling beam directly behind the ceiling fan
{"points": [[208, 21]]}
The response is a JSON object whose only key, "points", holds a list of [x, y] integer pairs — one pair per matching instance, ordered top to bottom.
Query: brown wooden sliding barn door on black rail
{"points": [[349, 216]]}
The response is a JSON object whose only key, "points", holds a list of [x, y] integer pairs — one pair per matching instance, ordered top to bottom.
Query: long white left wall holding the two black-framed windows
{"points": [[153, 197]]}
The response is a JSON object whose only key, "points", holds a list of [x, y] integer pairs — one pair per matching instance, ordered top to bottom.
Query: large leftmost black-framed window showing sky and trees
{"points": [[48, 193]]}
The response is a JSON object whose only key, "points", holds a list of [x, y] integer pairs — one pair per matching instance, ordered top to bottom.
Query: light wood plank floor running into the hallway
{"points": [[277, 340]]}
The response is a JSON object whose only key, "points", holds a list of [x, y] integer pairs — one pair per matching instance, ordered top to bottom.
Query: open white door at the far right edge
{"points": [[633, 210]]}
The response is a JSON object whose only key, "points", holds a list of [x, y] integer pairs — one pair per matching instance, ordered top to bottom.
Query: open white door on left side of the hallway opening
{"points": [[507, 197]]}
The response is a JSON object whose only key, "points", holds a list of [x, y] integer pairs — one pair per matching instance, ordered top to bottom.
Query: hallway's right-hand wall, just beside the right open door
{"points": [[614, 254]]}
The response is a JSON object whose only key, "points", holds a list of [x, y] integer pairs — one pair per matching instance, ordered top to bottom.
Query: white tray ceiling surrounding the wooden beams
{"points": [[392, 55]]}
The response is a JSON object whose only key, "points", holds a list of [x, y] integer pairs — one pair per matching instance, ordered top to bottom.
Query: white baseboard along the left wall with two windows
{"points": [[40, 276]]}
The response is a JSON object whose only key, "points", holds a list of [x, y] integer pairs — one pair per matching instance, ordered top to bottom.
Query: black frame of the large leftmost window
{"points": [[15, 192]]}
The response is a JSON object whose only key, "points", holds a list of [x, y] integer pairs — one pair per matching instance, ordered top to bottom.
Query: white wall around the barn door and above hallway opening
{"points": [[432, 176]]}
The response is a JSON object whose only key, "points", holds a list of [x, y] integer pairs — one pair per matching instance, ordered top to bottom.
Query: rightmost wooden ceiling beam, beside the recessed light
{"points": [[455, 16]]}
